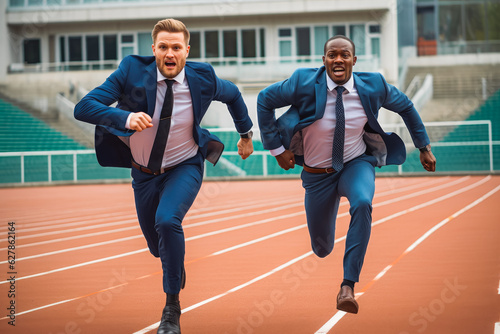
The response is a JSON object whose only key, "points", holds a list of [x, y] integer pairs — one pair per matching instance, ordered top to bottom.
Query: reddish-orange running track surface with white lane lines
{"points": [[433, 262]]}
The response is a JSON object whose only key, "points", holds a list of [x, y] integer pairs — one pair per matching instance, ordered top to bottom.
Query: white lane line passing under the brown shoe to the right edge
{"points": [[339, 314]]}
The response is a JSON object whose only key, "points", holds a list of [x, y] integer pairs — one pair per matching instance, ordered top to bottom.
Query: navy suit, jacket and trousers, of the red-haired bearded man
{"points": [[161, 201]]}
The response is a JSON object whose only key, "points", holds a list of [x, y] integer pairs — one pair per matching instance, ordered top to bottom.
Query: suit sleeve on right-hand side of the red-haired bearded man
{"points": [[227, 93]]}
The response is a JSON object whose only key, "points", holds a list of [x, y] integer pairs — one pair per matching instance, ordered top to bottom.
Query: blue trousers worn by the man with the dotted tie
{"points": [[356, 182]]}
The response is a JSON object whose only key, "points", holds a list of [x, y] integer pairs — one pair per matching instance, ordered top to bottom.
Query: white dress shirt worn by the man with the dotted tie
{"points": [[318, 137]]}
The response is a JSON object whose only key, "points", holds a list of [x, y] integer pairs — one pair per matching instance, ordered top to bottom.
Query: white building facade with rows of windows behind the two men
{"points": [[285, 34]]}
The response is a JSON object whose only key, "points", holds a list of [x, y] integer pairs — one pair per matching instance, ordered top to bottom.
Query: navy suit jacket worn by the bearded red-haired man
{"points": [[133, 86]]}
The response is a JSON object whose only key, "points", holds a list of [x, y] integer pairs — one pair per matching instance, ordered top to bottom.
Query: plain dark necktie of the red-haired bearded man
{"points": [[158, 150]]}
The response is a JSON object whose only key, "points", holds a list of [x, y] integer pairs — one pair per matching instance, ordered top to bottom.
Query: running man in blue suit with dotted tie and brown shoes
{"points": [[338, 160]]}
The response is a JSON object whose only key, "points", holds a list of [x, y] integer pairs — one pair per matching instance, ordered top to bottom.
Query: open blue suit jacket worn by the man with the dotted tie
{"points": [[306, 91]]}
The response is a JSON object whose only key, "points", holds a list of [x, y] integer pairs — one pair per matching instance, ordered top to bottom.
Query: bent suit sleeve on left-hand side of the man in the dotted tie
{"points": [[277, 95]]}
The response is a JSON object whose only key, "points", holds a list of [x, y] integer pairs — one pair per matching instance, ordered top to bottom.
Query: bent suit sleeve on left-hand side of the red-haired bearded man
{"points": [[94, 107]]}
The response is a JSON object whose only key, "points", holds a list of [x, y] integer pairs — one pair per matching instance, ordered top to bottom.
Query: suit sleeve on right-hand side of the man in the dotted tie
{"points": [[398, 102]]}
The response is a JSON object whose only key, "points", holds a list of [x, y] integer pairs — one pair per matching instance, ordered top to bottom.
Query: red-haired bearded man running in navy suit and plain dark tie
{"points": [[155, 130]]}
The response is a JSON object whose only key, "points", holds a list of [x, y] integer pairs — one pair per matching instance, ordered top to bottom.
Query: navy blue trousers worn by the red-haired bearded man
{"points": [[162, 202]]}
